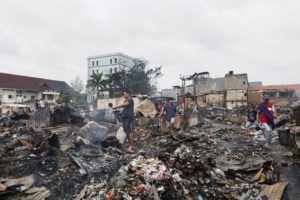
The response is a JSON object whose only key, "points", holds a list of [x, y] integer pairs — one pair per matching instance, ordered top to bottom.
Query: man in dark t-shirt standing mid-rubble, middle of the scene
{"points": [[169, 111]]}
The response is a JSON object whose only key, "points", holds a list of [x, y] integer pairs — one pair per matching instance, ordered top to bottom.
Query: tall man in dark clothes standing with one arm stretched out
{"points": [[127, 116]]}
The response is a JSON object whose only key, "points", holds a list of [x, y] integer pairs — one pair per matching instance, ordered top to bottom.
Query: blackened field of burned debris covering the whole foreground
{"points": [[209, 156]]}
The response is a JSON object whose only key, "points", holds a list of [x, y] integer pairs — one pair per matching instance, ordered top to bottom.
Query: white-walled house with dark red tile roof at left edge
{"points": [[19, 89]]}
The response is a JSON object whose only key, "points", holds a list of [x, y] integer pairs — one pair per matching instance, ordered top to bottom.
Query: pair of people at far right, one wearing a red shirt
{"points": [[262, 119]]}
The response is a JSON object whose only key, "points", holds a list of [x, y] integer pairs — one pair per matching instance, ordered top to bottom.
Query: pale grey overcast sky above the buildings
{"points": [[53, 38]]}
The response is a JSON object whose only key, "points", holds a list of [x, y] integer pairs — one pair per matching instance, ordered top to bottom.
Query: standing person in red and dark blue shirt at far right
{"points": [[265, 117]]}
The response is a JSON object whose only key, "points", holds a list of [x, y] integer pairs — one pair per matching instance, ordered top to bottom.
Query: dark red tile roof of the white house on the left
{"points": [[26, 83]]}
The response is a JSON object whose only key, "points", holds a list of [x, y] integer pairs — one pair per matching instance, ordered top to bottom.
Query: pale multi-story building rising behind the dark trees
{"points": [[109, 63]]}
